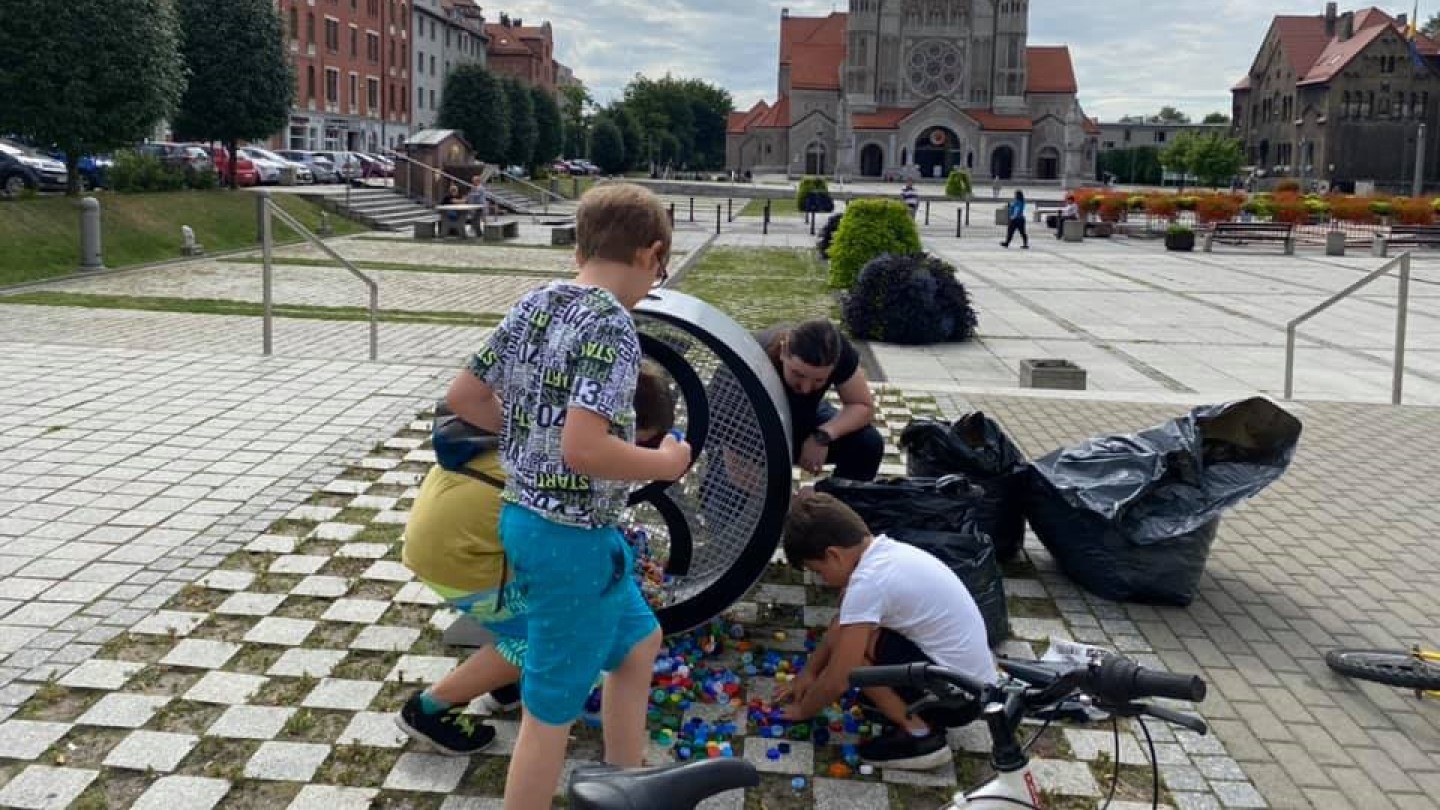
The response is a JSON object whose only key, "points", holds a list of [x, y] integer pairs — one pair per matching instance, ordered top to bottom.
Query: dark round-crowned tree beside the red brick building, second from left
{"points": [[241, 84]]}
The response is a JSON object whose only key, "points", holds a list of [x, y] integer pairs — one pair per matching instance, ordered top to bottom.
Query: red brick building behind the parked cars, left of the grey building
{"points": [[352, 74]]}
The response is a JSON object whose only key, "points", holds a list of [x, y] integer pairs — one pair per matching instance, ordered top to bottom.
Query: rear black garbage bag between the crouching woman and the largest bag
{"points": [[977, 448]]}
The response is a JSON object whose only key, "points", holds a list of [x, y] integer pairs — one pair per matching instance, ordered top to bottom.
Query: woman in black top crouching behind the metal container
{"points": [[811, 360]]}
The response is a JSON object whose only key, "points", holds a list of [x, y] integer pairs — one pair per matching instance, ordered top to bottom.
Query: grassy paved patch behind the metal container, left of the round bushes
{"points": [[764, 288]]}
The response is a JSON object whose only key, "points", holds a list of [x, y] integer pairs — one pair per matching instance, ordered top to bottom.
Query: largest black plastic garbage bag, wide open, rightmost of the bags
{"points": [[1133, 518]]}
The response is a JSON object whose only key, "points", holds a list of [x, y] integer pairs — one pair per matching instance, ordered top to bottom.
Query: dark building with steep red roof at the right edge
{"points": [[1340, 99]]}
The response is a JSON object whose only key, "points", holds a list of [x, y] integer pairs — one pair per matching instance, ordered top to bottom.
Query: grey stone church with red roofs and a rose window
{"points": [[912, 89]]}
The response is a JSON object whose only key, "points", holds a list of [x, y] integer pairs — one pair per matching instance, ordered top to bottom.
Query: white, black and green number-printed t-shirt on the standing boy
{"points": [[562, 347]]}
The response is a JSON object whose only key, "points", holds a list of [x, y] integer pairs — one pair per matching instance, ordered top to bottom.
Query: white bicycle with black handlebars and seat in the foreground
{"points": [[1110, 682]]}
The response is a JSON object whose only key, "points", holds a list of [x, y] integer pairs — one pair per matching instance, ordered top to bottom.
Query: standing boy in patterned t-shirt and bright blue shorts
{"points": [[558, 381]]}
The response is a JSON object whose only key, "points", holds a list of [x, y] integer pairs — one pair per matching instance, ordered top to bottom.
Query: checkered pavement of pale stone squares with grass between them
{"points": [[273, 682]]}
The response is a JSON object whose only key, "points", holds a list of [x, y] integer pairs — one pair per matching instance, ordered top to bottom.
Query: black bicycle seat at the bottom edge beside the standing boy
{"points": [[666, 788]]}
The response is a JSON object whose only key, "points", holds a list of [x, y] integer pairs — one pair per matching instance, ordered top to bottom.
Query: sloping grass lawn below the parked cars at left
{"points": [[41, 236]]}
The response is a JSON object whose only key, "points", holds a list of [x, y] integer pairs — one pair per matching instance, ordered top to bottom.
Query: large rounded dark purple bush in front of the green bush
{"points": [[909, 299]]}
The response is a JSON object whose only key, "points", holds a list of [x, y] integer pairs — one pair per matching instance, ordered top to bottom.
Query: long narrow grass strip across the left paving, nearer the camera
{"points": [[221, 308]]}
